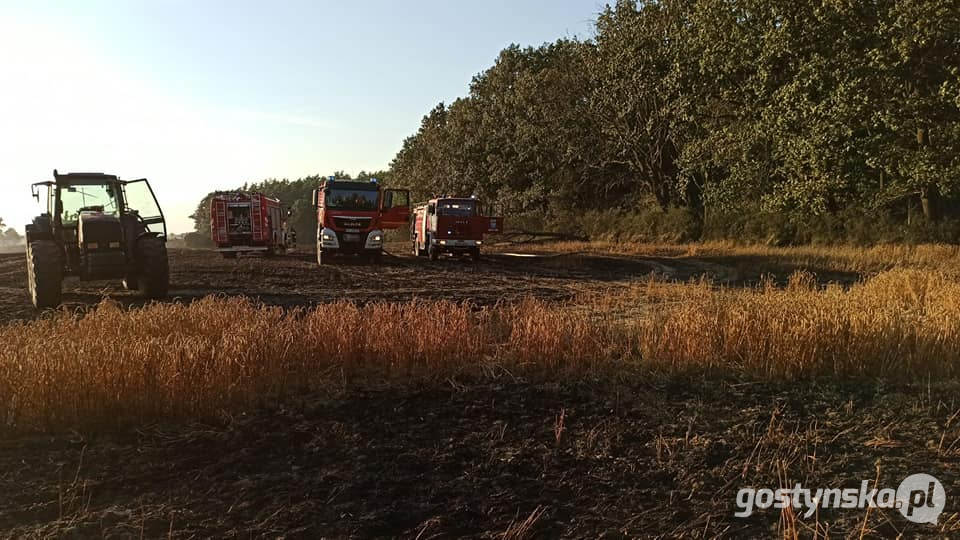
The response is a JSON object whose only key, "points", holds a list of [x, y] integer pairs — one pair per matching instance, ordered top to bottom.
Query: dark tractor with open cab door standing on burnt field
{"points": [[96, 227]]}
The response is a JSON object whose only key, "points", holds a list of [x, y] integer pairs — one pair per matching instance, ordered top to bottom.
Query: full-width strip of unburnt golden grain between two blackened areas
{"points": [[117, 367]]}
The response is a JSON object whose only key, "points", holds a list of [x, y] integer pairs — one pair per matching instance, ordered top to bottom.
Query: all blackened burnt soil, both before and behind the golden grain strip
{"points": [[643, 456]]}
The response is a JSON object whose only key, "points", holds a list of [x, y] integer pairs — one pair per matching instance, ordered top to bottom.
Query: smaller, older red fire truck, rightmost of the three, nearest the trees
{"points": [[451, 225]]}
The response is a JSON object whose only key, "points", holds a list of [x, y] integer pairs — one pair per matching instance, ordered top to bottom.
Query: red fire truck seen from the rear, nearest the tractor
{"points": [[242, 222]]}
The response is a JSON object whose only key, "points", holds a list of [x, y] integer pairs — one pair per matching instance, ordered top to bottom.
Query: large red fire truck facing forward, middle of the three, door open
{"points": [[353, 215]]}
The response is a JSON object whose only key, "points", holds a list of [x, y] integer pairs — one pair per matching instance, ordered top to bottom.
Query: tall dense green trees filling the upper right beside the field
{"points": [[795, 121]]}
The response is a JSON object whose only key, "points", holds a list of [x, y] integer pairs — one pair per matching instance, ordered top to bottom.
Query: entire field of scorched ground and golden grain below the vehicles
{"points": [[558, 390]]}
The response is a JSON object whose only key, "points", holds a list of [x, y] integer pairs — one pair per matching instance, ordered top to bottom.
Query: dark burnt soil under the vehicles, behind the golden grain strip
{"points": [[297, 280]]}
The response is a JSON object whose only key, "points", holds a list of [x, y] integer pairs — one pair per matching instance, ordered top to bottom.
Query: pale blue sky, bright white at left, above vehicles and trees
{"points": [[198, 95]]}
